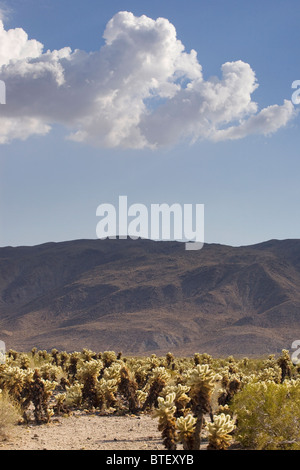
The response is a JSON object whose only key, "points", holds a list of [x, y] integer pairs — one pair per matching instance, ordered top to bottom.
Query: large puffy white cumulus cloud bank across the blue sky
{"points": [[141, 89]]}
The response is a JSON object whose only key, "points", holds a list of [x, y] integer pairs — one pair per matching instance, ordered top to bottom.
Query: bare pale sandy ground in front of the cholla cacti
{"points": [[82, 431]]}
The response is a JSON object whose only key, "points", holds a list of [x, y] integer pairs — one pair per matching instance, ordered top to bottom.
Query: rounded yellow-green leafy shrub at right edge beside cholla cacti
{"points": [[268, 415]]}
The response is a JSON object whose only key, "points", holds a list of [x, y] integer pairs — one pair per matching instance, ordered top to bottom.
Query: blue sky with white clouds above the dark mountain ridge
{"points": [[164, 102]]}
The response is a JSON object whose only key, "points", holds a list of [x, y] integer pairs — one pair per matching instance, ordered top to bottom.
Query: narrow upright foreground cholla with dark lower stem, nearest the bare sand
{"points": [[167, 422]]}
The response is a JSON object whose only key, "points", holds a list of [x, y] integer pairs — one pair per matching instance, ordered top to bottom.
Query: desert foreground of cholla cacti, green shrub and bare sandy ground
{"points": [[103, 401]]}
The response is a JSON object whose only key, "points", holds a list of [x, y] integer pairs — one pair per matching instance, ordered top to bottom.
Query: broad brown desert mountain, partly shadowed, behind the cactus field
{"points": [[142, 297]]}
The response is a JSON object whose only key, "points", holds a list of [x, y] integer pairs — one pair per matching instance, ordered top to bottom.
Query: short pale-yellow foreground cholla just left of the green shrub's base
{"points": [[219, 437]]}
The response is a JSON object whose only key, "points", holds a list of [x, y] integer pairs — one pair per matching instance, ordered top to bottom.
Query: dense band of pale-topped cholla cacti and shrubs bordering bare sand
{"points": [[199, 402]]}
